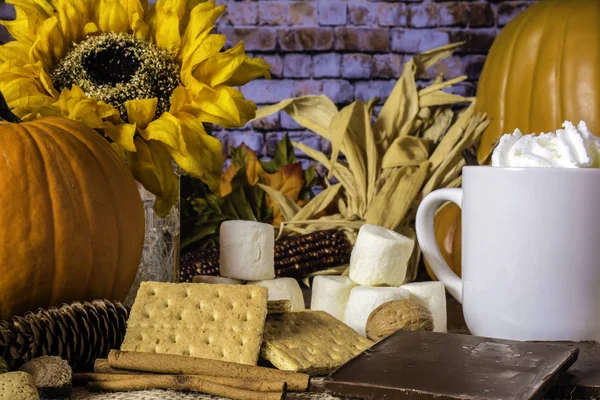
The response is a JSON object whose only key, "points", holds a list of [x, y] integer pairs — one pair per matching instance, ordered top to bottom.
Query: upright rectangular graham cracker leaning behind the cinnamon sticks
{"points": [[207, 320]]}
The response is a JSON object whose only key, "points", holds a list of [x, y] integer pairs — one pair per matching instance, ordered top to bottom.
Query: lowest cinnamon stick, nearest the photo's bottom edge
{"points": [[183, 383]]}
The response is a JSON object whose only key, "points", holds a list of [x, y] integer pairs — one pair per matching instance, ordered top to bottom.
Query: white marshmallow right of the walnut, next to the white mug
{"points": [[433, 296]]}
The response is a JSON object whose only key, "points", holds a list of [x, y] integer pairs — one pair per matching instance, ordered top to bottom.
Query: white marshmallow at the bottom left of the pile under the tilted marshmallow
{"points": [[330, 294]]}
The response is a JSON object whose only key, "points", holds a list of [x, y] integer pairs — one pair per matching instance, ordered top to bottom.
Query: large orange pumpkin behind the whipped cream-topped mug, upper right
{"points": [[543, 69]]}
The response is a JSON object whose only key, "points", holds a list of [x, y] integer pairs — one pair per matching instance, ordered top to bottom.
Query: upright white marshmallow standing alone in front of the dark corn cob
{"points": [[247, 250]]}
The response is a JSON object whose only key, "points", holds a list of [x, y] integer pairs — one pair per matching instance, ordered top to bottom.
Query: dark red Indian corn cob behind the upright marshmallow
{"points": [[295, 256]]}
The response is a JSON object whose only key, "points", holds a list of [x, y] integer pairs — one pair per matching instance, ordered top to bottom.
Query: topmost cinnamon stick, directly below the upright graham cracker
{"points": [[186, 365]]}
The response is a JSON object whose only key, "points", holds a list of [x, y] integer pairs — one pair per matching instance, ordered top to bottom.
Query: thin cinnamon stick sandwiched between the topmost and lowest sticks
{"points": [[247, 384]]}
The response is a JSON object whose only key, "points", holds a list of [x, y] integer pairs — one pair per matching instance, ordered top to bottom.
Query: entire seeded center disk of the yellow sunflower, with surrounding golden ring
{"points": [[116, 68]]}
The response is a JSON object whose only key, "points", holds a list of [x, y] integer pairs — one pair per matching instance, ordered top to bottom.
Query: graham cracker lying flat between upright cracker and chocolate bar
{"points": [[312, 342]]}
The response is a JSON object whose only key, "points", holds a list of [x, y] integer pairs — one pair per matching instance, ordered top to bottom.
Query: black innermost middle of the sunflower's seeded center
{"points": [[110, 66]]}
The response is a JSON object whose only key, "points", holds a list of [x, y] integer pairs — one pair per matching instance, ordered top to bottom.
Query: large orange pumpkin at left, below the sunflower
{"points": [[71, 219]]}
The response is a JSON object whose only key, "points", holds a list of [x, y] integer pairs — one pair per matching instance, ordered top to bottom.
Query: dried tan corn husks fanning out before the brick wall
{"points": [[414, 146]]}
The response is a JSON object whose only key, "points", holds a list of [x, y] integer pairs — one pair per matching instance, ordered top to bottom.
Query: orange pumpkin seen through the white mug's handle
{"points": [[447, 226]]}
